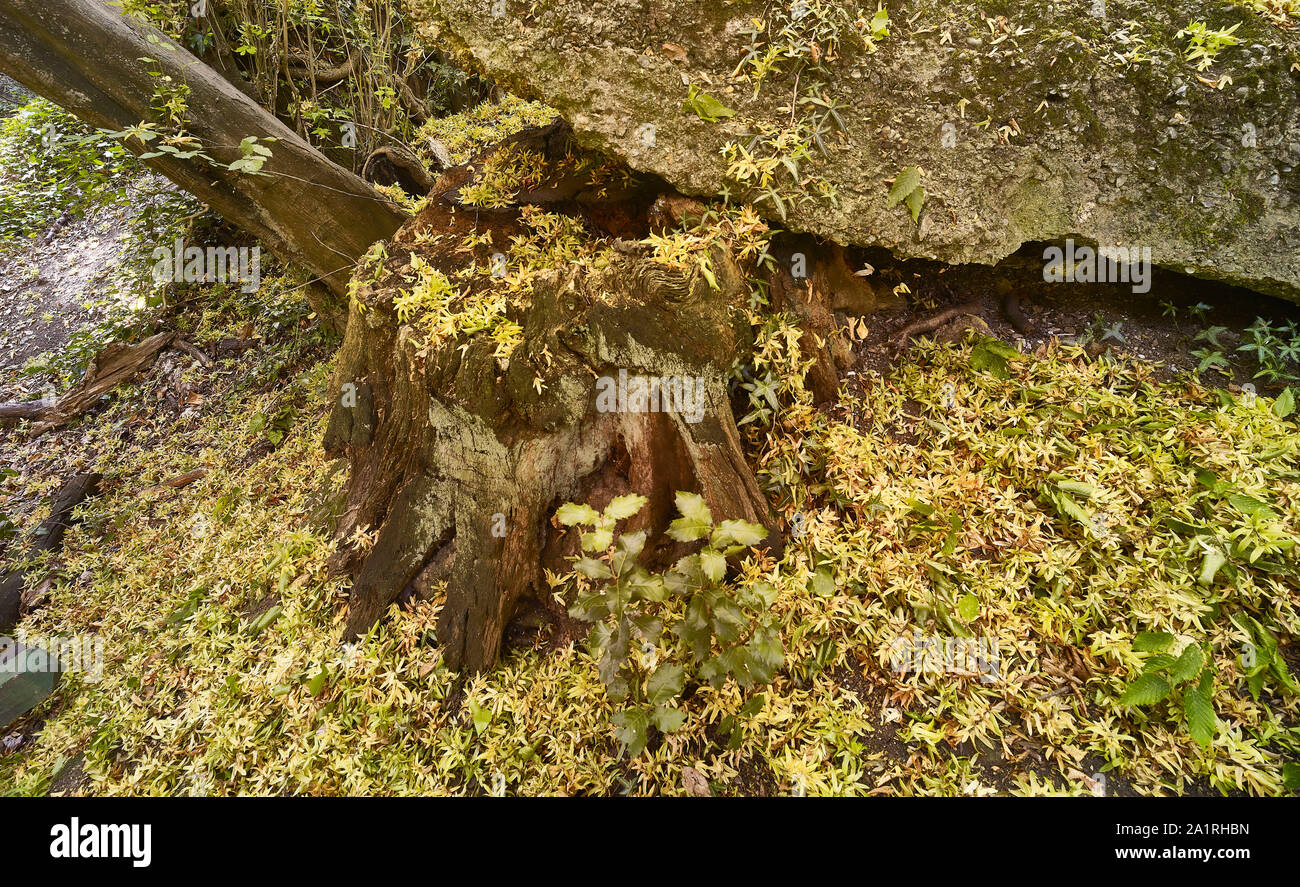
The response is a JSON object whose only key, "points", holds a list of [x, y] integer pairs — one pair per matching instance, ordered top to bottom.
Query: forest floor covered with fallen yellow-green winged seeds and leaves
{"points": [[1054, 504]]}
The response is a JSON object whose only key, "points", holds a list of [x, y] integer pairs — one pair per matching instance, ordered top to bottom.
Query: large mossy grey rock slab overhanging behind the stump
{"points": [[1032, 120]]}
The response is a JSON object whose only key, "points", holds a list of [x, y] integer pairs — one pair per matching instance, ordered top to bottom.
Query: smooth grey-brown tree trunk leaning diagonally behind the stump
{"points": [[90, 59]]}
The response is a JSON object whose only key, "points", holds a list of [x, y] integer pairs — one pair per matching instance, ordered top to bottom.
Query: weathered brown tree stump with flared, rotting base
{"points": [[460, 457]]}
